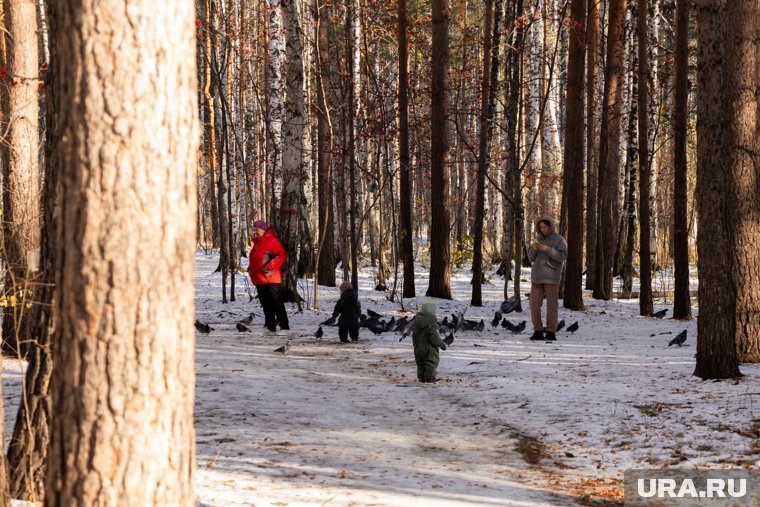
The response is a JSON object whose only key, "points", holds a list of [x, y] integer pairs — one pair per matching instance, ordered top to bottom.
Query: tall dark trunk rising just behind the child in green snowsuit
{"points": [[440, 247]]}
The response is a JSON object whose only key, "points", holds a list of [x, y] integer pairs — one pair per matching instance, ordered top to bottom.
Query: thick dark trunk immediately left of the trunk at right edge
{"points": [[716, 346]]}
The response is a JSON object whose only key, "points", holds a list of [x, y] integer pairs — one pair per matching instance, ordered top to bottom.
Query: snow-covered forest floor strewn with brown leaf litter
{"points": [[514, 422]]}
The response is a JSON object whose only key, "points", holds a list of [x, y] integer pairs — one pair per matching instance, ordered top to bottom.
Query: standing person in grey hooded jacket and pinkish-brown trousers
{"points": [[547, 253]]}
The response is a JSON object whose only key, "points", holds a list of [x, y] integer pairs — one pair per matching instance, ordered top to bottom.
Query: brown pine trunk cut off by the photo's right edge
{"points": [[743, 207]]}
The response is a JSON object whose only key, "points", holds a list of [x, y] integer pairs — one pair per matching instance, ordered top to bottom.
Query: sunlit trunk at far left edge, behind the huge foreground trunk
{"points": [[20, 160]]}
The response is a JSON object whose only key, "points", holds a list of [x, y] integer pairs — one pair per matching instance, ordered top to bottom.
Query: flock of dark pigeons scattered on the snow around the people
{"points": [[379, 324]]}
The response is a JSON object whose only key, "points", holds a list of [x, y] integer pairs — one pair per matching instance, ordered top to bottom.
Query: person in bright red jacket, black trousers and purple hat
{"points": [[264, 265]]}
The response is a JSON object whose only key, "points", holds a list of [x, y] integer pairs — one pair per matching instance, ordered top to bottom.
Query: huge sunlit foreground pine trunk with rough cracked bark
{"points": [[122, 394]]}
